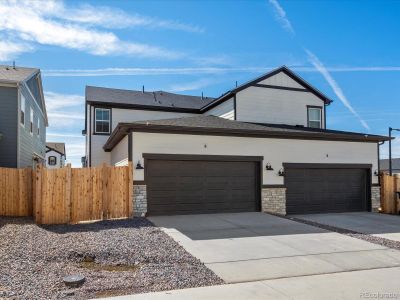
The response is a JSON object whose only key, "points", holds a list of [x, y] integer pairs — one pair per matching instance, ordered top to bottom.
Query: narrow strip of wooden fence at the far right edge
{"points": [[390, 185]]}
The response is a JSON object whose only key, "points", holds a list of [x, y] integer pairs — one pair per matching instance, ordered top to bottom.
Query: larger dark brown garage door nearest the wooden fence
{"points": [[201, 186]]}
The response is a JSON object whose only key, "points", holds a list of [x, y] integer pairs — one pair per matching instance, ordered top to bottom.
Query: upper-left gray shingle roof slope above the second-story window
{"points": [[151, 100]]}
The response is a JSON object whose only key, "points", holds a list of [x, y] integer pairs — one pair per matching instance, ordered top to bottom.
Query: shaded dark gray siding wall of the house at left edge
{"points": [[8, 126]]}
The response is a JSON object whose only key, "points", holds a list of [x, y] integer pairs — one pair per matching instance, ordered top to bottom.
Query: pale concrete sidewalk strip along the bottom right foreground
{"points": [[367, 284]]}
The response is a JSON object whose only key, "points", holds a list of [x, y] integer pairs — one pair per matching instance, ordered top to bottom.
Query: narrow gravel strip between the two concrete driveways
{"points": [[362, 236]]}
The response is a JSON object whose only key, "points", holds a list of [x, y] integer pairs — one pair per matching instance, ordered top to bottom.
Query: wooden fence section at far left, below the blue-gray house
{"points": [[15, 192]]}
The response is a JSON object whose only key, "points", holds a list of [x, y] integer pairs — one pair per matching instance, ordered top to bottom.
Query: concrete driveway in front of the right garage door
{"points": [[381, 225]]}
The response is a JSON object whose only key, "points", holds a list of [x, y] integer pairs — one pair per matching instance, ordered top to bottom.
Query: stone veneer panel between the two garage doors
{"points": [[273, 200]]}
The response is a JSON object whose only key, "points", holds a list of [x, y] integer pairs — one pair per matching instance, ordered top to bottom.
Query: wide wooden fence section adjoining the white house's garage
{"points": [[69, 195]]}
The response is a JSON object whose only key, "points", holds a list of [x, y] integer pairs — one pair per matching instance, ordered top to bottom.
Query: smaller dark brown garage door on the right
{"points": [[321, 190]]}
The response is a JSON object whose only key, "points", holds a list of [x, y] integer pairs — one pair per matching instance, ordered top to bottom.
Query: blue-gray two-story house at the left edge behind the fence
{"points": [[23, 118]]}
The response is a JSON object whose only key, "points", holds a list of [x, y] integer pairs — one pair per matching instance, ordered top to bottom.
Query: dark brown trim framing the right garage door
{"points": [[367, 167]]}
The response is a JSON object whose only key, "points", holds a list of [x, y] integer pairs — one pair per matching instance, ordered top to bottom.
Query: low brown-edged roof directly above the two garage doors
{"points": [[211, 125]]}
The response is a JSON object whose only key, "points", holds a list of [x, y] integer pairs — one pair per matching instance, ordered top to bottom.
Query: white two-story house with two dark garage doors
{"points": [[262, 146]]}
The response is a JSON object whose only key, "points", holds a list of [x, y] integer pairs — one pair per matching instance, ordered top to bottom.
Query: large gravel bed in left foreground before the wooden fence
{"points": [[116, 257]]}
